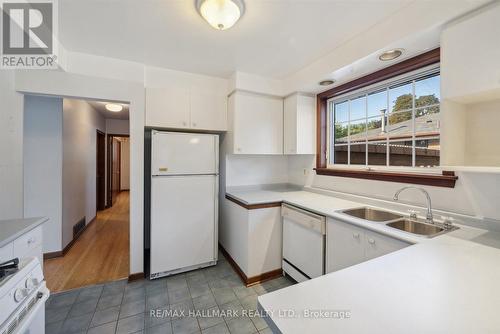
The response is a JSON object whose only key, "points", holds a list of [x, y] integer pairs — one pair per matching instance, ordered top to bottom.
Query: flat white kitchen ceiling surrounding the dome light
{"points": [[273, 38]]}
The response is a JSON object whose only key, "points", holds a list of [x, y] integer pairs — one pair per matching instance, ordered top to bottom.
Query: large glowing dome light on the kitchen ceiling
{"points": [[221, 14]]}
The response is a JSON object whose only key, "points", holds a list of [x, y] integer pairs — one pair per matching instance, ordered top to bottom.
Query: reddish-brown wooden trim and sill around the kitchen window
{"points": [[446, 179]]}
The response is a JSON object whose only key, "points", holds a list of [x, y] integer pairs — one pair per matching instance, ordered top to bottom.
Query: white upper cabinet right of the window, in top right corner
{"points": [[470, 58]]}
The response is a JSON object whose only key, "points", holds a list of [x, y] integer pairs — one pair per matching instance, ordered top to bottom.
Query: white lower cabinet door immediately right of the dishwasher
{"points": [[344, 245]]}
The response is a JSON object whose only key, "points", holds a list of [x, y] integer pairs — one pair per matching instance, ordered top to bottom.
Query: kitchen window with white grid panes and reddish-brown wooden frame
{"points": [[385, 126]]}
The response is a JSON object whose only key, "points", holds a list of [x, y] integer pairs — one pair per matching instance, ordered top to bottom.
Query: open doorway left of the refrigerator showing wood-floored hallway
{"points": [[65, 143]]}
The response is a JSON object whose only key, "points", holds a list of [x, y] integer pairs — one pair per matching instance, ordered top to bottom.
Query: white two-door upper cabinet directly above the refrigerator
{"points": [[186, 109]]}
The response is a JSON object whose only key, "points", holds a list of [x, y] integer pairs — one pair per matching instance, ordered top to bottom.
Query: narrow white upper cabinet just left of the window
{"points": [[299, 125]]}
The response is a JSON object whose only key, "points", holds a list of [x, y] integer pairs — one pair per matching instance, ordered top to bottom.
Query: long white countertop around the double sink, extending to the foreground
{"points": [[445, 284]]}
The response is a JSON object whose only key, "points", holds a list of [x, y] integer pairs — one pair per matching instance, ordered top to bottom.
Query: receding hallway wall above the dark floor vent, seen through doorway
{"points": [[80, 122]]}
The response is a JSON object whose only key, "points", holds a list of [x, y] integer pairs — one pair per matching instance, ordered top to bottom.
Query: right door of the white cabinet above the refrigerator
{"points": [[208, 111]]}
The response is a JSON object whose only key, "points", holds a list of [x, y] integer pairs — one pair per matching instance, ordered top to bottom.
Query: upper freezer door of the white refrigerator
{"points": [[184, 153]]}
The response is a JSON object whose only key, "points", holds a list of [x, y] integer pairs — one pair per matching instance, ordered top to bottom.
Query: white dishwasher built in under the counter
{"points": [[303, 243]]}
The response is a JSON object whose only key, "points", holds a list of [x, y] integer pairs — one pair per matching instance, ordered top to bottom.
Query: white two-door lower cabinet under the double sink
{"points": [[347, 245]]}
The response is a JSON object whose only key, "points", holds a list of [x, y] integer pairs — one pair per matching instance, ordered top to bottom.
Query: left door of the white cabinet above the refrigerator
{"points": [[167, 107]]}
